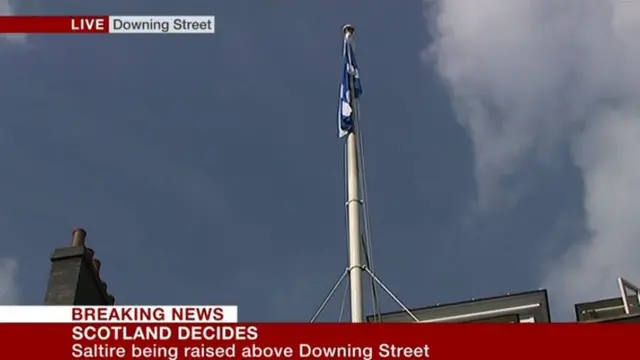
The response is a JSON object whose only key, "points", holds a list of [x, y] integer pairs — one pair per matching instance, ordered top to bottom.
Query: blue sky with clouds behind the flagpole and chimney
{"points": [[206, 169]]}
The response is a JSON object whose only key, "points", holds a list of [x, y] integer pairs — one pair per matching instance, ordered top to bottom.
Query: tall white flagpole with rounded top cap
{"points": [[354, 204]]}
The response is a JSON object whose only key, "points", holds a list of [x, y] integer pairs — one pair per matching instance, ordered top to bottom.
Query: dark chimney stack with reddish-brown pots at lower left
{"points": [[75, 276]]}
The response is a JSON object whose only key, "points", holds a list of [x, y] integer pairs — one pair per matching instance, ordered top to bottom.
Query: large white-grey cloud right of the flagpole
{"points": [[526, 76]]}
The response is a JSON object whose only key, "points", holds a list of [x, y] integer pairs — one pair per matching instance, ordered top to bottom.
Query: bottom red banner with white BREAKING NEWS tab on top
{"points": [[162, 332]]}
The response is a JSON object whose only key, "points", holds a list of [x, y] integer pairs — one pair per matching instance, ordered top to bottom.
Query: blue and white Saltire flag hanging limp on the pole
{"points": [[350, 80]]}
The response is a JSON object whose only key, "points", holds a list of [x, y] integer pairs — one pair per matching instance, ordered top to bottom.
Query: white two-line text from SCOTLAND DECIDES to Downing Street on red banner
{"points": [[214, 342]]}
